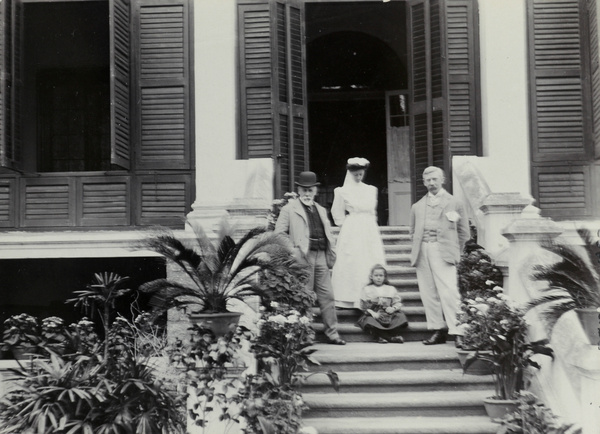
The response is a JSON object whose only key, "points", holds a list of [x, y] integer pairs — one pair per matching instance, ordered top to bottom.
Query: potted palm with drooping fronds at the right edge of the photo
{"points": [[573, 283]]}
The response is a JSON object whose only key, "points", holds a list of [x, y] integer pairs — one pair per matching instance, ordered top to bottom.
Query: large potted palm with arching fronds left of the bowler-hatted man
{"points": [[215, 274]]}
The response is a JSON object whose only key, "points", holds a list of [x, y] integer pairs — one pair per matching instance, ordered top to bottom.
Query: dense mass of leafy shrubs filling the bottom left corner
{"points": [[86, 390]]}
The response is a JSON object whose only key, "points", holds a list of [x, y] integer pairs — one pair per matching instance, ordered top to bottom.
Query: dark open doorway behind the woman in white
{"points": [[356, 52]]}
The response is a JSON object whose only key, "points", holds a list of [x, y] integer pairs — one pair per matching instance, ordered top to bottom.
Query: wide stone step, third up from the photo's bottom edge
{"points": [[400, 381]]}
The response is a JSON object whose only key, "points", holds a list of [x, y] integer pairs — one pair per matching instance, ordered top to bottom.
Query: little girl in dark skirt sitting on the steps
{"points": [[381, 305]]}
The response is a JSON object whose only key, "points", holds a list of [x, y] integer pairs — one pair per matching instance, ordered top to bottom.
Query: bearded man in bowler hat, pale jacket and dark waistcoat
{"points": [[308, 227]]}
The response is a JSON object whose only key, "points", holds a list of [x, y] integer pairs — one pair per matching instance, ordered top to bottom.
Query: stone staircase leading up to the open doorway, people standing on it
{"points": [[394, 388]]}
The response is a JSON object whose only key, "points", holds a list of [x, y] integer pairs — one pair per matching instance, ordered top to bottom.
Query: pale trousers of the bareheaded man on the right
{"points": [[438, 286]]}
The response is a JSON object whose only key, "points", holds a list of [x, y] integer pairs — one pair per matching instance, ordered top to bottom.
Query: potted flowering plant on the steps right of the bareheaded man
{"points": [[504, 327]]}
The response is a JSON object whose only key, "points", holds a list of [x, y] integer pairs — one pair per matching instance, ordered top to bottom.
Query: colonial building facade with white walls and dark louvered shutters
{"points": [[116, 115]]}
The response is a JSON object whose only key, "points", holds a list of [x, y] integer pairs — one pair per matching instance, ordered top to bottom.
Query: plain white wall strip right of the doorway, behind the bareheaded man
{"points": [[504, 96]]}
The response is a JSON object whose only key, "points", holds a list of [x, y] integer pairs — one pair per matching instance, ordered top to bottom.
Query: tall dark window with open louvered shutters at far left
{"points": [[103, 88]]}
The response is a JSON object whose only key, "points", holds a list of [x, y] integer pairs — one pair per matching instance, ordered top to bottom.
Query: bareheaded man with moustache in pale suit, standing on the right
{"points": [[439, 229]]}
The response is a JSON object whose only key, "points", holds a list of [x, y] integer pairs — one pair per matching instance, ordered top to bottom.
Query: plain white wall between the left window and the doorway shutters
{"points": [[220, 178]]}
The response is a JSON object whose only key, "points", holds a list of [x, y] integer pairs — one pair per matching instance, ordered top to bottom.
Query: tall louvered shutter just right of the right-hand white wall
{"points": [[561, 127]]}
